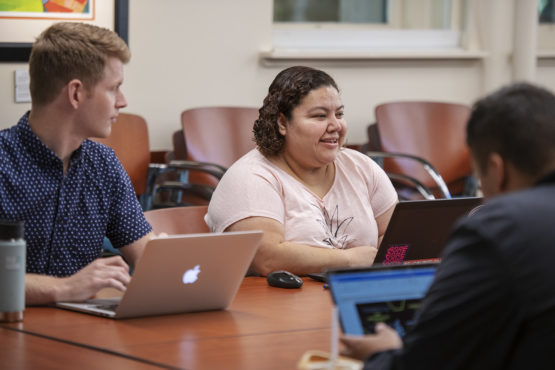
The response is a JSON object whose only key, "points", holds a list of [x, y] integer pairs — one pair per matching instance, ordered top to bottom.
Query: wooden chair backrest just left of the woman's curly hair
{"points": [[218, 134]]}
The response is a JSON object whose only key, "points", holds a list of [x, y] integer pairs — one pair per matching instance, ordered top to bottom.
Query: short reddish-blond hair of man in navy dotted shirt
{"points": [[67, 51]]}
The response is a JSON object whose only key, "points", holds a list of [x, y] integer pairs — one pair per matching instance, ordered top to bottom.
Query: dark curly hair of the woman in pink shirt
{"points": [[285, 93]]}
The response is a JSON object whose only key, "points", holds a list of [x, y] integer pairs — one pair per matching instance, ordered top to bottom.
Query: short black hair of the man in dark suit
{"points": [[518, 123]]}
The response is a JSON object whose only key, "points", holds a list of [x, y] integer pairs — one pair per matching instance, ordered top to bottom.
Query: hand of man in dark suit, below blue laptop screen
{"points": [[361, 347]]}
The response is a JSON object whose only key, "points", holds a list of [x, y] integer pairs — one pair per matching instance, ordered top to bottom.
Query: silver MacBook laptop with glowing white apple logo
{"points": [[181, 273]]}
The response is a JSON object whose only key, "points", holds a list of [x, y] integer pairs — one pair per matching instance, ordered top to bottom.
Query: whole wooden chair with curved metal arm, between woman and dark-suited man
{"points": [[423, 147]]}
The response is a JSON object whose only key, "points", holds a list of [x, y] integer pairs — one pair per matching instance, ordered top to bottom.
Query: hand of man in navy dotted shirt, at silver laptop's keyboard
{"points": [[110, 272]]}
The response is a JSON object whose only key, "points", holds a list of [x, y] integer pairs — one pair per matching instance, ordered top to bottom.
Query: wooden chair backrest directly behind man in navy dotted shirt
{"points": [[129, 140]]}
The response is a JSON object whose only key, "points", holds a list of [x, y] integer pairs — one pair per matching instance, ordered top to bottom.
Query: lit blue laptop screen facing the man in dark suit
{"points": [[389, 294]]}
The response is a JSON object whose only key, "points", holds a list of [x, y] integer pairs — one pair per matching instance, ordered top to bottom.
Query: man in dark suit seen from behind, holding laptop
{"points": [[492, 303]]}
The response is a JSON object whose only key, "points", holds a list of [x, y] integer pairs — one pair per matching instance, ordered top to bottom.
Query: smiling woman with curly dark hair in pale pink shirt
{"points": [[320, 205]]}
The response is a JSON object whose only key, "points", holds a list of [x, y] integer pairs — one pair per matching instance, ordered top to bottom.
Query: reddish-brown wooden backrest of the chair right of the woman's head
{"points": [[434, 131]]}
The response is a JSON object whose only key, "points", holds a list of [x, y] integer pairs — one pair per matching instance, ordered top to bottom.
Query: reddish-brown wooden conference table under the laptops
{"points": [[264, 328]]}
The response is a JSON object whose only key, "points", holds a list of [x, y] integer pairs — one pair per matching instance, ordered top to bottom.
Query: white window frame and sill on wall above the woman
{"points": [[355, 41]]}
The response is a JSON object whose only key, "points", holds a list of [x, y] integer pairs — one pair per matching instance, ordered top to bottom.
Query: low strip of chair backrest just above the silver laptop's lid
{"points": [[178, 220]]}
